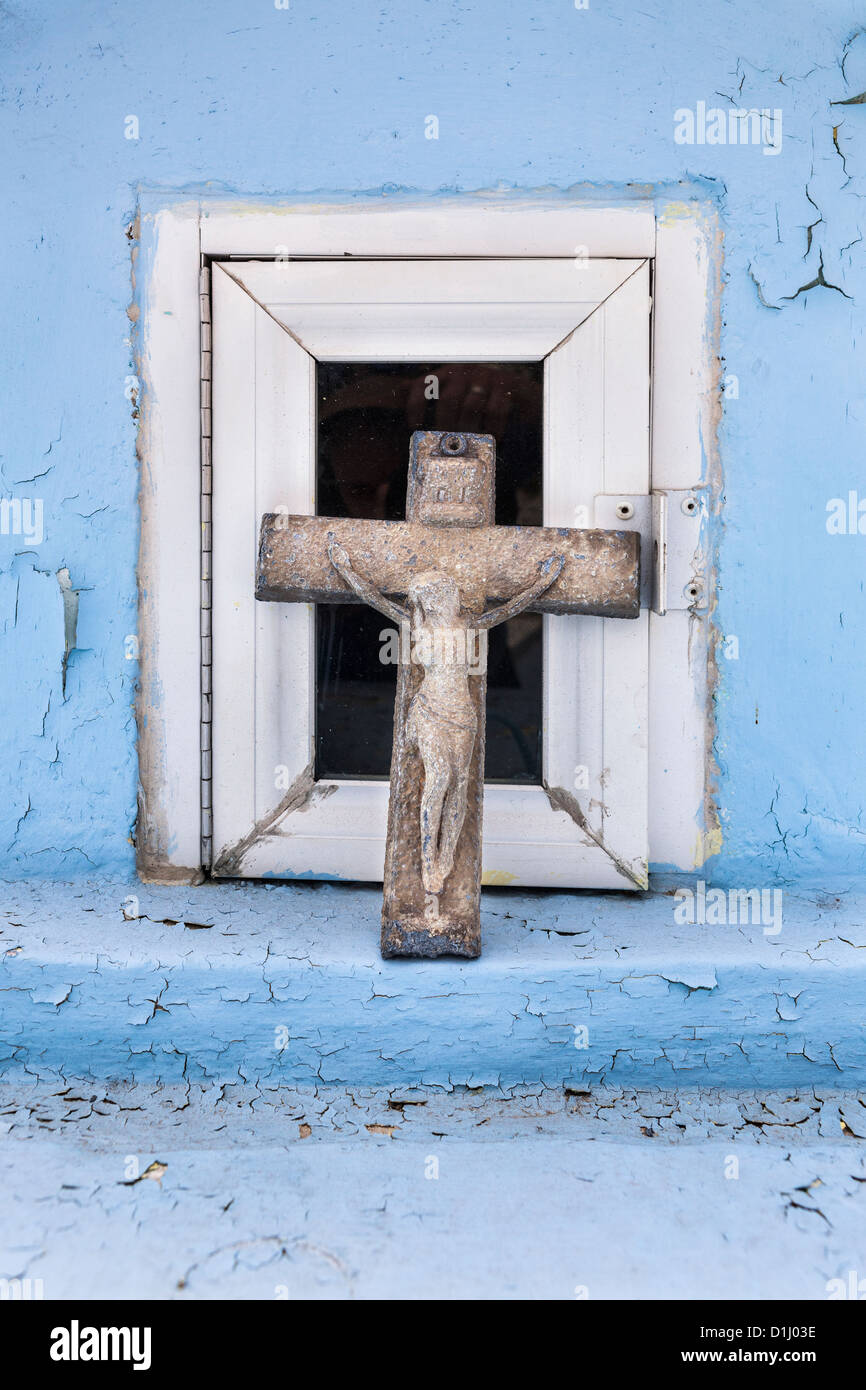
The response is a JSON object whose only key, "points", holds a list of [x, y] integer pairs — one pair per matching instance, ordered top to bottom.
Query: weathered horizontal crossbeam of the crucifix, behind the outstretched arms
{"points": [[600, 575]]}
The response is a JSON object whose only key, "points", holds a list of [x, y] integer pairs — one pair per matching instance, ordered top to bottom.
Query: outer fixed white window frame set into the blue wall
{"points": [[680, 245]]}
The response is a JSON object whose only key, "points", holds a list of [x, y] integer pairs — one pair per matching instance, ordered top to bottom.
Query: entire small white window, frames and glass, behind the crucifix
{"points": [[600, 762]]}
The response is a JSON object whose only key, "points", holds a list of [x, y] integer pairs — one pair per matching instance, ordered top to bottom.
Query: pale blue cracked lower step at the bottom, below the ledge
{"points": [[248, 1192]]}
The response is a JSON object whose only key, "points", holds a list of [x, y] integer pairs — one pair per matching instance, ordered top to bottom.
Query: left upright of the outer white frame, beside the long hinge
{"points": [[169, 365]]}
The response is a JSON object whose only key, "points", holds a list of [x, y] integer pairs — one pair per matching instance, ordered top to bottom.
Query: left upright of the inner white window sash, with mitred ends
{"points": [[263, 662]]}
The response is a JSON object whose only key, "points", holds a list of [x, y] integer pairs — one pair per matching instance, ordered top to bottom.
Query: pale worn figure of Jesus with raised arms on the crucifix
{"points": [[441, 718]]}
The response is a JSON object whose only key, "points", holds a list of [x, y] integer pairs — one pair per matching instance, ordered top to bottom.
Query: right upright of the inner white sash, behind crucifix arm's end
{"points": [[597, 669]]}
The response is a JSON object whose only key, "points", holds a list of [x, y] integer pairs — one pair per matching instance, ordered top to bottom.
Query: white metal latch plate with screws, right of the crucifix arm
{"points": [[672, 551]]}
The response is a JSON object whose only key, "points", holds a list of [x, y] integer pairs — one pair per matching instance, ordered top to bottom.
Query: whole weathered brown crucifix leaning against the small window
{"points": [[446, 576]]}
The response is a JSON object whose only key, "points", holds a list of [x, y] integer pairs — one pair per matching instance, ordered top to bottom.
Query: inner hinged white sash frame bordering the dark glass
{"points": [[597, 437]]}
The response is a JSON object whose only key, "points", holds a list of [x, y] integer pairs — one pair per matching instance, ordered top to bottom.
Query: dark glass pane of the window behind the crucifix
{"points": [[368, 414]]}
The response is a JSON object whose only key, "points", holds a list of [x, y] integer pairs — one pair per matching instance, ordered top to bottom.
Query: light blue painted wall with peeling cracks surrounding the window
{"points": [[529, 94]]}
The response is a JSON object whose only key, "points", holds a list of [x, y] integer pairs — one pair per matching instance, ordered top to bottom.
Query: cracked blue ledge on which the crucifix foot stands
{"points": [[284, 982]]}
